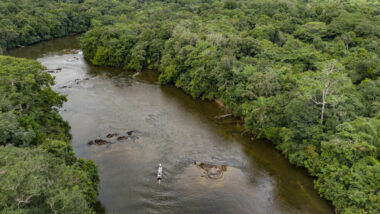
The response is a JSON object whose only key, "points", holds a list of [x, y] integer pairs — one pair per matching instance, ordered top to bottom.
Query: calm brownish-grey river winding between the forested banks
{"points": [[171, 128]]}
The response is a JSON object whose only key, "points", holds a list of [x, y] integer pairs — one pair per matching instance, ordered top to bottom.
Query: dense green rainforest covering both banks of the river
{"points": [[302, 74]]}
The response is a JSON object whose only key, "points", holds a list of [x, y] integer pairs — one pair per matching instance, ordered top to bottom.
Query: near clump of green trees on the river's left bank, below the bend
{"points": [[43, 176]]}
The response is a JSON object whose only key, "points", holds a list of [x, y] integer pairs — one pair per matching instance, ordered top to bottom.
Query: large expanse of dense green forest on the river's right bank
{"points": [[297, 72]]}
